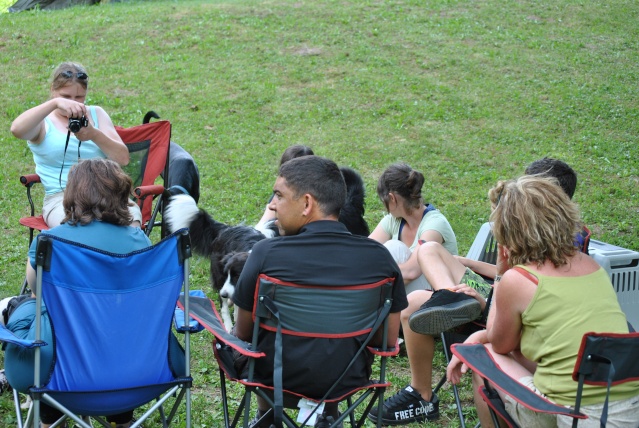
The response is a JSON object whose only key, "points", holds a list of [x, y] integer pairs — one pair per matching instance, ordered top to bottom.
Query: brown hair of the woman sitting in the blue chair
{"points": [[97, 189]]}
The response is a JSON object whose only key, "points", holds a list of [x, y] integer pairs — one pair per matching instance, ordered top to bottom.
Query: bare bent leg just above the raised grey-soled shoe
{"points": [[441, 269]]}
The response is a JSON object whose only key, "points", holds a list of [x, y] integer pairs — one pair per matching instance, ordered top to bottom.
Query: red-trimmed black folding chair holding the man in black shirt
{"points": [[289, 318]]}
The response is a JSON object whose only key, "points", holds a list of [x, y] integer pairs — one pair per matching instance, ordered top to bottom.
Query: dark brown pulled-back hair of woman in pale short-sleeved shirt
{"points": [[403, 180]]}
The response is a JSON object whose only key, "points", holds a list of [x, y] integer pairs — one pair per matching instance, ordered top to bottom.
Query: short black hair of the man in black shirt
{"points": [[319, 177]]}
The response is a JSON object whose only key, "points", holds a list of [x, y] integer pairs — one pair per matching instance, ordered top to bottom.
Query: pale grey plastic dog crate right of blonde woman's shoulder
{"points": [[622, 265]]}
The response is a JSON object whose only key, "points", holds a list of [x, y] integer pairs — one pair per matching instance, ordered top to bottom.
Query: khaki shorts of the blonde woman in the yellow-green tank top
{"points": [[621, 414]]}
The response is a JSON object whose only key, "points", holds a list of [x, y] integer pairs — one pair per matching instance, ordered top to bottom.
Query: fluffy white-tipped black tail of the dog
{"points": [[182, 211]]}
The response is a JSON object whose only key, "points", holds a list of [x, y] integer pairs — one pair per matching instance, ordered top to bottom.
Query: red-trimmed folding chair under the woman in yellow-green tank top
{"points": [[604, 359]]}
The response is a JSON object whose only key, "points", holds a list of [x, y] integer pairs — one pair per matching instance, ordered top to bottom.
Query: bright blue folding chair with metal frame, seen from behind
{"points": [[111, 318]]}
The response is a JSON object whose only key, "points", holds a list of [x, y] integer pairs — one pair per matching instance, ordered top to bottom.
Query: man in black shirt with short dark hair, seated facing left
{"points": [[314, 248]]}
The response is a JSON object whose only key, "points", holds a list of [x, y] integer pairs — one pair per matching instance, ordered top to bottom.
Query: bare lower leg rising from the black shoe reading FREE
{"points": [[420, 348]]}
